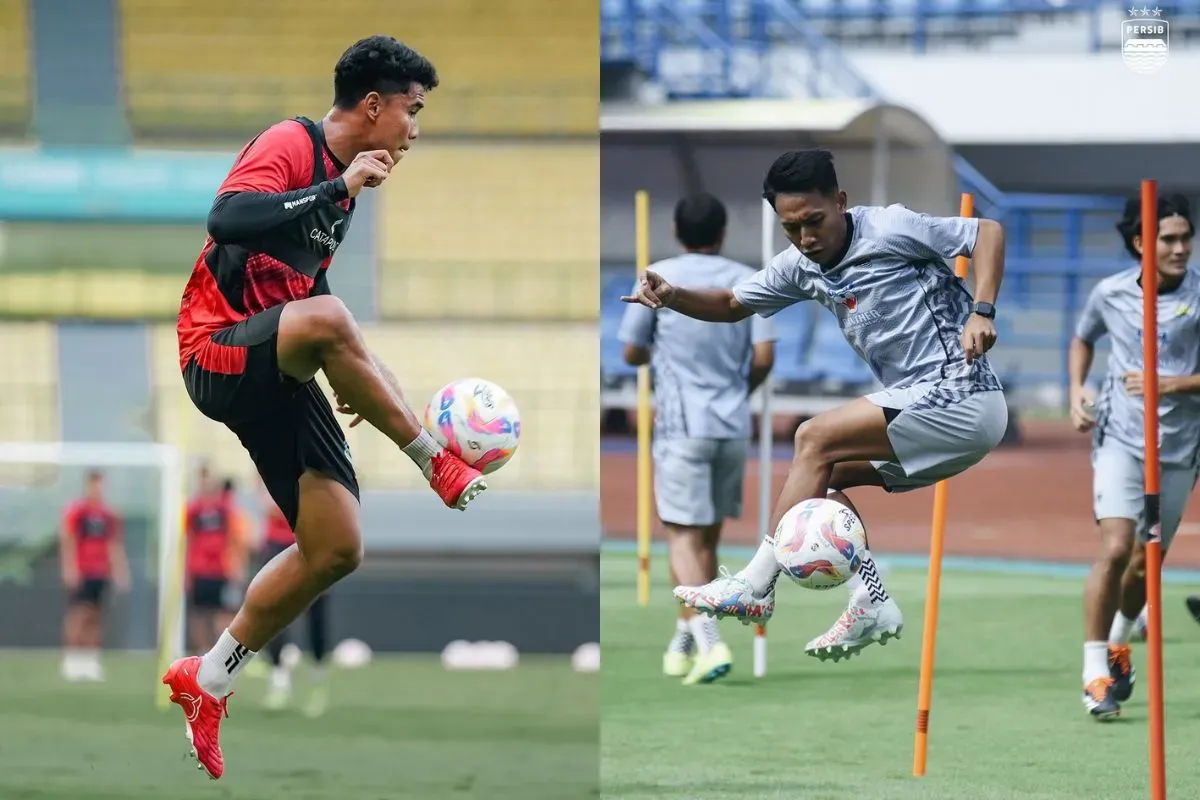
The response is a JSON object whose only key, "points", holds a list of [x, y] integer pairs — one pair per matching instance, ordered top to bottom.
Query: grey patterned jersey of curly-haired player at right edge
{"points": [[1115, 309]]}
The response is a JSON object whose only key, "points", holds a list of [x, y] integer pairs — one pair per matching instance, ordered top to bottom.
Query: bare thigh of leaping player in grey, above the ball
{"points": [[854, 432]]}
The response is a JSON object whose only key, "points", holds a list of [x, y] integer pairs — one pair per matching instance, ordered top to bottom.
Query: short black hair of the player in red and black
{"points": [[380, 64]]}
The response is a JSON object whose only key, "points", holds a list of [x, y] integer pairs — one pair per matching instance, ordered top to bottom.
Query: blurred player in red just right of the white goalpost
{"points": [[215, 564]]}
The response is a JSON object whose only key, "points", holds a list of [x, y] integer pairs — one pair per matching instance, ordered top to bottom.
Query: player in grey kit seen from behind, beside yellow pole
{"points": [[704, 376]]}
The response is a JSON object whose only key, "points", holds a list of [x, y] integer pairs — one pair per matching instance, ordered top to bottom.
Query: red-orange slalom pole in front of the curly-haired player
{"points": [[1155, 542]]}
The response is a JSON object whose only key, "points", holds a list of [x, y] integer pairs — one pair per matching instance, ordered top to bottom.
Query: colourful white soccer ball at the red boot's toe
{"points": [[476, 420]]}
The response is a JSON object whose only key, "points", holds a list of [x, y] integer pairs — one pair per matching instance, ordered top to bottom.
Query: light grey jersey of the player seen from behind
{"points": [[700, 369]]}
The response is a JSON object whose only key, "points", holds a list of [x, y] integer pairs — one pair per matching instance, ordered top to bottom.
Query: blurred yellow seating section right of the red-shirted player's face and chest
{"points": [[493, 232]]}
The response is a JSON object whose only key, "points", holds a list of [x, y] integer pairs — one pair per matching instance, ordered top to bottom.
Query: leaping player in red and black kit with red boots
{"points": [[256, 326]]}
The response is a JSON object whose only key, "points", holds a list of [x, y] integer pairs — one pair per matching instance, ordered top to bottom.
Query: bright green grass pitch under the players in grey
{"points": [[1007, 721]]}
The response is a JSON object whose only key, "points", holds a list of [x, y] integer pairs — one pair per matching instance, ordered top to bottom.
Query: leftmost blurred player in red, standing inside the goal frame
{"points": [[93, 555]]}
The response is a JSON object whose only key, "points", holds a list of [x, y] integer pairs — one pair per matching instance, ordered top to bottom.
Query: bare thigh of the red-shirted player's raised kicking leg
{"points": [[309, 329]]}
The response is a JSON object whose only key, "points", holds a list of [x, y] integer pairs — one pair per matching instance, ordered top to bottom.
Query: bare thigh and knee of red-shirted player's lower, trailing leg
{"points": [[328, 532]]}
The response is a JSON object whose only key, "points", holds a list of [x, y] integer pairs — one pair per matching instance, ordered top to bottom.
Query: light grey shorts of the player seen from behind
{"points": [[699, 482]]}
